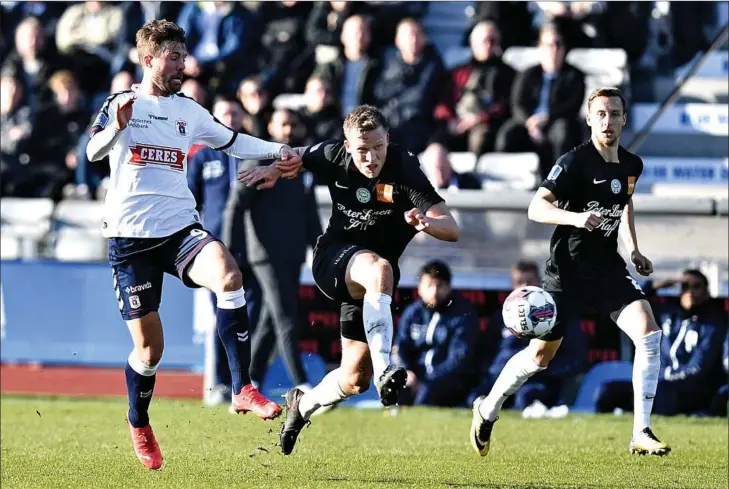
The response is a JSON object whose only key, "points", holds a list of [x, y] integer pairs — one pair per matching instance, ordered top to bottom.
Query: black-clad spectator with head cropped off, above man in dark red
{"points": [[507, 16]]}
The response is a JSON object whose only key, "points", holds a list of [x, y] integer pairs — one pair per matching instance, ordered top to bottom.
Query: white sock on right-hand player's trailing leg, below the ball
{"points": [[516, 371]]}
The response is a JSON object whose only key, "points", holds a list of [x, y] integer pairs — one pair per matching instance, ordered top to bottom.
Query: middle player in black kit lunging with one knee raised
{"points": [[380, 200]]}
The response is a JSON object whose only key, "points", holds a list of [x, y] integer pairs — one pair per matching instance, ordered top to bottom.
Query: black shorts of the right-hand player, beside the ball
{"points": [[608, 295]]}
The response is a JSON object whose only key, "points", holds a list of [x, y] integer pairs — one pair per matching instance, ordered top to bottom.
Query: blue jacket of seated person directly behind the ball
{"points": [[571, 359]]}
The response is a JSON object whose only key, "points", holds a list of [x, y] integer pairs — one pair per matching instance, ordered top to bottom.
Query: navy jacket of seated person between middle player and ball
{"points": [[438, 343]]}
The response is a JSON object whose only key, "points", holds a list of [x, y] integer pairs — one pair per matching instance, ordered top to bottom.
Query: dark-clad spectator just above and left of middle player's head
{"points": [[321, 115]]}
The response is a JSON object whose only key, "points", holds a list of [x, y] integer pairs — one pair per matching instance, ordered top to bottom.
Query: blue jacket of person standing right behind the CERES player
{"points": [[211, 175]]}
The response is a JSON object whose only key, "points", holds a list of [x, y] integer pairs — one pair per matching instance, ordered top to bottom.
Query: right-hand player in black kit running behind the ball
{"points": [[588, 194]]}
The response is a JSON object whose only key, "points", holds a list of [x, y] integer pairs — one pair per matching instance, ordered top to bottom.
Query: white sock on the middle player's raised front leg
{"points": [[377, 318]]}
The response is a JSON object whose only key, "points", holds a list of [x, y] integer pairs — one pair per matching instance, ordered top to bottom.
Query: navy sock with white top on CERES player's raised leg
{"points": [[232, 324]]}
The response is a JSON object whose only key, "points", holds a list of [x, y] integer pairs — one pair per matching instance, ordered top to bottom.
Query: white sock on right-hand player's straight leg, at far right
{"points": [[646, 368]]}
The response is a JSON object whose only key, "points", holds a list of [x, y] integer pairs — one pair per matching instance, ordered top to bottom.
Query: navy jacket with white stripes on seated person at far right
{"points": [[691, 348]]}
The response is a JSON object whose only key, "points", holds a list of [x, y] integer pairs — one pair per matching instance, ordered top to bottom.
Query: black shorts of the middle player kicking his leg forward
{"points": [[330, 271]]}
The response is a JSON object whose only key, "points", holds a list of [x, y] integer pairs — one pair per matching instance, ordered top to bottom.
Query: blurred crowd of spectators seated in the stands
{"points": [[60, 60]]}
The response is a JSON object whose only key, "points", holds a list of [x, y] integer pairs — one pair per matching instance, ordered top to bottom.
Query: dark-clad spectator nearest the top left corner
{"points": [[32, 63]]}
